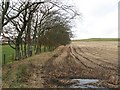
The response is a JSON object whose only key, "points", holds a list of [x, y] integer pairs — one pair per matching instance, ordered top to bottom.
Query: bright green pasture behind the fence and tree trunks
{"points": [[11, 56]]}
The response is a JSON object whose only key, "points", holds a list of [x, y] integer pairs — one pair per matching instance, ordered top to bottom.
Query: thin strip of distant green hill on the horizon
{"points": [[99, 39]]}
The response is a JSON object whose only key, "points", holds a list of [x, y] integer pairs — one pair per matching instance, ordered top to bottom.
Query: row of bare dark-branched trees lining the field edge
{"points": [[32, 25]]}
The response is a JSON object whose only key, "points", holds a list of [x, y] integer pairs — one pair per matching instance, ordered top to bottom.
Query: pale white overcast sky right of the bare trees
{"points": [[99, 19]]}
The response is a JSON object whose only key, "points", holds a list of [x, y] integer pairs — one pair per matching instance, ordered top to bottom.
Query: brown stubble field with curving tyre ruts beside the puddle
{"points": [[95, 60]]}
